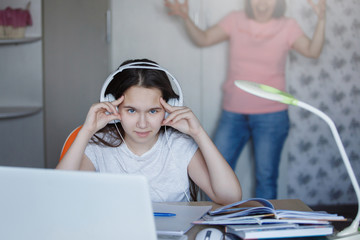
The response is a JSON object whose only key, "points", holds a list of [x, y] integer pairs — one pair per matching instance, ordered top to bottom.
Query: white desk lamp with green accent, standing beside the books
{"points": [[264, 91]]}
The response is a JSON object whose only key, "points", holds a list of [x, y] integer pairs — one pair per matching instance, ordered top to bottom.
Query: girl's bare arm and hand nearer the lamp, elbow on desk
{"points": [[208, 168]]}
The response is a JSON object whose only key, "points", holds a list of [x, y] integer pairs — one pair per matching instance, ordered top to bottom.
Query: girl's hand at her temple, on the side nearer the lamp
{"points": [[182, 119]]}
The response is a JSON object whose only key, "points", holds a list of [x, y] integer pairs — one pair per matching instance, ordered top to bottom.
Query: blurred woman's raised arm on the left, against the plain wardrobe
{"points": [[200, 37]]}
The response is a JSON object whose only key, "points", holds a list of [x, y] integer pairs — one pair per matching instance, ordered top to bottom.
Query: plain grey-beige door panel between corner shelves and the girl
{"points": [[76, 65]]}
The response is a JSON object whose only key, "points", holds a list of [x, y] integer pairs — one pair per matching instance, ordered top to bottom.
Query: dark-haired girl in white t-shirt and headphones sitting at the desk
{"points": [[166, 150]]}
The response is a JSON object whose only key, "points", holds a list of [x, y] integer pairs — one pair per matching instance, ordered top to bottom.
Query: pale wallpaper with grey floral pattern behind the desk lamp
{"points": [[331, 83]]}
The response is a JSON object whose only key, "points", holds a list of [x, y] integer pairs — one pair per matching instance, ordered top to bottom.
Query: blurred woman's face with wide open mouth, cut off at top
{"points": [[263, 9]]}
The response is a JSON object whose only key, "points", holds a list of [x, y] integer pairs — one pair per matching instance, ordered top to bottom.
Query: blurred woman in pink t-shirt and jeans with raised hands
{"points": [[260, 38]]}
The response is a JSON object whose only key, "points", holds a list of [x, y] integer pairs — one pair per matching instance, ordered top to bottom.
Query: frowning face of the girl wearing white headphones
{"points": [[141, 117]]}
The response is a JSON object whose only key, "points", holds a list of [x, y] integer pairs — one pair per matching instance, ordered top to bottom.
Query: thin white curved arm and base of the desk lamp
{"points": [[353, 228]]}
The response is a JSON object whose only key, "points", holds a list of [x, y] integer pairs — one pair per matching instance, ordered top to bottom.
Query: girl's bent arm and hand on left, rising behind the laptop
{"points": [[97, 118]]}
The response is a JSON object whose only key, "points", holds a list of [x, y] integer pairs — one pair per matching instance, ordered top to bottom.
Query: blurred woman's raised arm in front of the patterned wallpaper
{"points": [[312, 47]]}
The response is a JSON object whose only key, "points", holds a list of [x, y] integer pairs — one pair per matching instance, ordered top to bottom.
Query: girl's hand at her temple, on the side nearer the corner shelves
{"points": [[101, 114]]}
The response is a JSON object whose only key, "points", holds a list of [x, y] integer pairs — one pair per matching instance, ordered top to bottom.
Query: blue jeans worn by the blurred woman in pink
{"points": [[268, 133]]}
